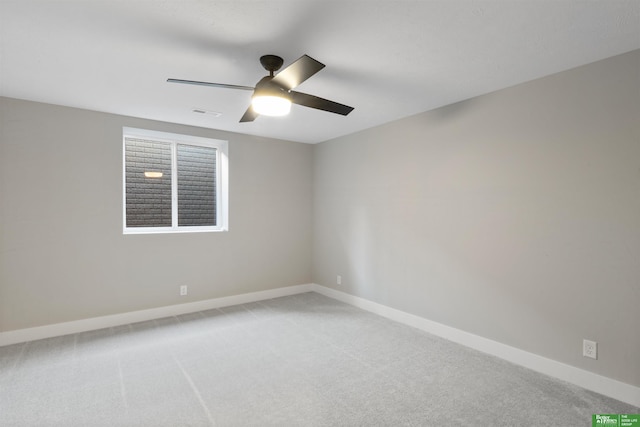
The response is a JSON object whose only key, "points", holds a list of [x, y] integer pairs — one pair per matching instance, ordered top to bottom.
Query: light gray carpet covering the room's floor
{"points": [[304, 360]]}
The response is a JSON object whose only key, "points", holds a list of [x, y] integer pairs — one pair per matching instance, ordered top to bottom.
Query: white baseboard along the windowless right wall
{"points": [[585, 379]]}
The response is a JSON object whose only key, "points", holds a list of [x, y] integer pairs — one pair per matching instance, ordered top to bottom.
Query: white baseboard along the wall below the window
{"points": [[58, 329]]}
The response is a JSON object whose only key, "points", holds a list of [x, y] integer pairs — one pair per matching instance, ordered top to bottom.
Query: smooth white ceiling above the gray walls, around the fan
{"points": [[388, 59]]}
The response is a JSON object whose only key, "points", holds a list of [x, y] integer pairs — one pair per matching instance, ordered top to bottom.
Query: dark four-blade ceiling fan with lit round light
{"points": [[273, 94]]}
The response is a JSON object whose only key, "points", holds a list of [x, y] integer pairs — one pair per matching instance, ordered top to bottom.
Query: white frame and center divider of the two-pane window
{"points": [[222, 180]]}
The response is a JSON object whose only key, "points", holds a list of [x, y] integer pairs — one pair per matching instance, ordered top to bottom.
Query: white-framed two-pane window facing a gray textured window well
{"points": [[173, 183]]}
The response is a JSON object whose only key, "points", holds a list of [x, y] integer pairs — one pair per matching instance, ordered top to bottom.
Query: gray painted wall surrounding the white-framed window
{"points": [[63, 256]]}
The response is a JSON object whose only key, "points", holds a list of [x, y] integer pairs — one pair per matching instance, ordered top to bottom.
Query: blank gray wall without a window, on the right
{"points": [[514, 216]]}
